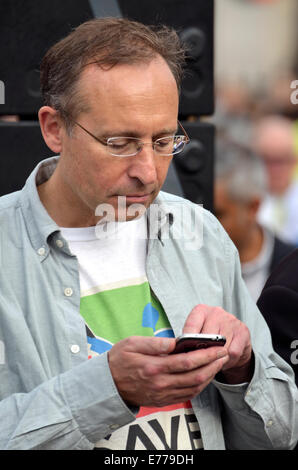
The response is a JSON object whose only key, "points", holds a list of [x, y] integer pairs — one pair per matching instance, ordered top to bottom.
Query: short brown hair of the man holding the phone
{"points": [[106, 42]]}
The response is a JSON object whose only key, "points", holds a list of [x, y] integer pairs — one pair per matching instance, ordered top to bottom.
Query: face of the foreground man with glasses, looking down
{"points": [[127, 100]]}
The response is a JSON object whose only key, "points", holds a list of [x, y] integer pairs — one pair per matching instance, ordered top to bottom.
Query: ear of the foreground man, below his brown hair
{"points": [[51, 127]]}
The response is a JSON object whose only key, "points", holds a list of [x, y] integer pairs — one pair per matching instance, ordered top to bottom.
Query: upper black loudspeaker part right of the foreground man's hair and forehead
{"points": [[194, 20]]}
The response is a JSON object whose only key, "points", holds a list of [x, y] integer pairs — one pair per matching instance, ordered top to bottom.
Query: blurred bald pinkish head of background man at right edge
{"points": [[274, 142]]}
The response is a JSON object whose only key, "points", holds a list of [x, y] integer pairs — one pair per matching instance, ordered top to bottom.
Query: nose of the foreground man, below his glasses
{"points": [[144, 165]]}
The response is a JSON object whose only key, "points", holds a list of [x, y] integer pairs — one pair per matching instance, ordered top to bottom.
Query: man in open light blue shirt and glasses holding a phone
{"points": [[111, 106]]}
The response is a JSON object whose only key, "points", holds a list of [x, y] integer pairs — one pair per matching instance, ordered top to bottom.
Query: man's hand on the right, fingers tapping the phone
{"points": [[206, 319]]}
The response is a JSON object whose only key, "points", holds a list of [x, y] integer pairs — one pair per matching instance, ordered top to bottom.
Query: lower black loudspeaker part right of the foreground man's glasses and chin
{"points": [[192, 172]]}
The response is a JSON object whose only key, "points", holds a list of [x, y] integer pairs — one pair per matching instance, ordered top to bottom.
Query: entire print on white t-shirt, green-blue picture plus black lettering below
{"points": [[111, 315]]}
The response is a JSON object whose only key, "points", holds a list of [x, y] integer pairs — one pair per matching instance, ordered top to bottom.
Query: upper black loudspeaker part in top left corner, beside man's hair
{"points": [[28, 28]]}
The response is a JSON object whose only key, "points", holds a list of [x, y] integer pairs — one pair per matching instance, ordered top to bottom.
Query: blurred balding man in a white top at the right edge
{"points": [[275, 143]]}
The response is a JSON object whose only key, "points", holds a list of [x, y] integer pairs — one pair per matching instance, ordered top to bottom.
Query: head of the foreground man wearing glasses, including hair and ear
{"points": [[111, 77]]}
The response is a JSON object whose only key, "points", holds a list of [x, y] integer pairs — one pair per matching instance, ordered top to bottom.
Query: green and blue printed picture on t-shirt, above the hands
{"points": [[112, 315]]}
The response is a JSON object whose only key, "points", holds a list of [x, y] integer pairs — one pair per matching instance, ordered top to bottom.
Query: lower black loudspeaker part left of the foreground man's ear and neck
{"points": [[22, 147]]}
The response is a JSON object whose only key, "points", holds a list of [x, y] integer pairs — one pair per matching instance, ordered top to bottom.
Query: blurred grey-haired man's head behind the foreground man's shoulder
{"points": [[240, 186]]}
